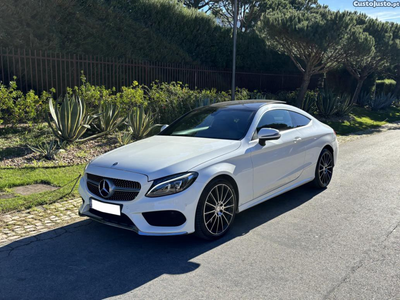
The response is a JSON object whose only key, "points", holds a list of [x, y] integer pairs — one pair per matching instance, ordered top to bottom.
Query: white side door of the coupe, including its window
{"points": [[279, 161]]}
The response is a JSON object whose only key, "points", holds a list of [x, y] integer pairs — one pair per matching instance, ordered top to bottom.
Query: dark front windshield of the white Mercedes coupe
{"points": [[231, 123]]}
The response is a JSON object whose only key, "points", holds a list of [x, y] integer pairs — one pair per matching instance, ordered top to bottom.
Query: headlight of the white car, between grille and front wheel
{"points": [[171, 184]]}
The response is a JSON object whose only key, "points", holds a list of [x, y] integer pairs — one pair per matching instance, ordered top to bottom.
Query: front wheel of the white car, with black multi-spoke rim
{"points": [[216, 210]]}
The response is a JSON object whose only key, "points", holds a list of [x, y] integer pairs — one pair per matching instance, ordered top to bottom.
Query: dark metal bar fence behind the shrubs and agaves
{"points": [[42, 70]]}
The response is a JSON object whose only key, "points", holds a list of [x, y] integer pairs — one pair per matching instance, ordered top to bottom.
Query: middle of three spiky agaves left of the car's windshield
{"points": [[109, 118]]}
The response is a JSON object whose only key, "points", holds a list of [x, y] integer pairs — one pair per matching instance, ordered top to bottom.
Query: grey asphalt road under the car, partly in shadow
{"points": [[341, 243]]}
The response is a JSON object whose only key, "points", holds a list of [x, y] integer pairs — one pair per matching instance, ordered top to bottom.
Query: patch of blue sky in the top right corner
{"points": [[389, 14]]}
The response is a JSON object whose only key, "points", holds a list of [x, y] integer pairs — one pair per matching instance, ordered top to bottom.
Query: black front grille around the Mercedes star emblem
{"points": [[125, 190]]}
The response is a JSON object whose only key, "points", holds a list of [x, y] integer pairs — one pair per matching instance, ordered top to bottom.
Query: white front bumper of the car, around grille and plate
{"points": [[132, 211]]}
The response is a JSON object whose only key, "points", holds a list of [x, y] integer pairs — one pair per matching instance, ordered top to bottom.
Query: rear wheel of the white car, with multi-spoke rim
{"points": [[323, 169]]}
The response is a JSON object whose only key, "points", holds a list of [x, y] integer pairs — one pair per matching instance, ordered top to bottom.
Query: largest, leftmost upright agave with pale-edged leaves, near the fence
{"points": [[70, 120]]}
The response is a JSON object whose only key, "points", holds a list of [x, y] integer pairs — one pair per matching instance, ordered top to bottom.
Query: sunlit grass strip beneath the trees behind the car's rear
{"points": [[363, 119]]}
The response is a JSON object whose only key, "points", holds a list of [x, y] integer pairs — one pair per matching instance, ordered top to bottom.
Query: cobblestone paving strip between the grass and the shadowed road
{"points": [[16, 225]]}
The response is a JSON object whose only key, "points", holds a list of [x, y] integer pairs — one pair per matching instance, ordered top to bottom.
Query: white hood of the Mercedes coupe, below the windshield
{"points": [[160, 156]]}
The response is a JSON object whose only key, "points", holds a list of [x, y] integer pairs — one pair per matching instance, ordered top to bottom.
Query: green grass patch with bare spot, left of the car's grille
{"points": [[55, 176]]}
